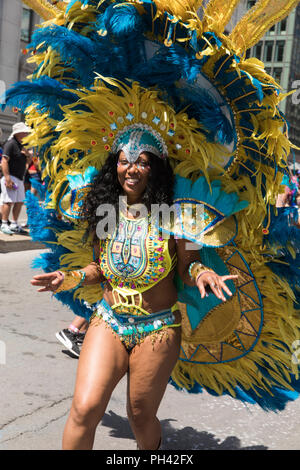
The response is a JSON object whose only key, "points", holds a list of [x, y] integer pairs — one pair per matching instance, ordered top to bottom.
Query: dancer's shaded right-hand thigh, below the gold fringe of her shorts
{"points": [[150, 367]]}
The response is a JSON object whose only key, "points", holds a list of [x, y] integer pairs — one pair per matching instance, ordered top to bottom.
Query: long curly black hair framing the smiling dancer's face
{"points": [[106, 188]]}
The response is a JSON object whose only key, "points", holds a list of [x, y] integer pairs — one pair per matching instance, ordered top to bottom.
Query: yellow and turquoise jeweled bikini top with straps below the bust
{"points": [[134, 259]]}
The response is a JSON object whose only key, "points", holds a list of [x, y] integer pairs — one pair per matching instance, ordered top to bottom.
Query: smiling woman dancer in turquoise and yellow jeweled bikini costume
{"points": [[149, 354]]}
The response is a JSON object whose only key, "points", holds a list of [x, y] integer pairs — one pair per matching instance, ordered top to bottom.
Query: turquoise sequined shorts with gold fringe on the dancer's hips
{"points": [[133, 329]]}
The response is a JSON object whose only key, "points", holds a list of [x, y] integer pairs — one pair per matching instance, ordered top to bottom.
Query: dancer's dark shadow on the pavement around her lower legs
{"points": [[186, 438]]}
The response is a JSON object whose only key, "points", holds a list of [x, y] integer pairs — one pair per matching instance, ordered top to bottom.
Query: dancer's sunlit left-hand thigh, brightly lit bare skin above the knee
{"points": [[102, 363]]}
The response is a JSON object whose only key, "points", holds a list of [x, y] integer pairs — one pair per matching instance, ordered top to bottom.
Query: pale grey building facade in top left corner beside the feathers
{"points": [[17, 23]]}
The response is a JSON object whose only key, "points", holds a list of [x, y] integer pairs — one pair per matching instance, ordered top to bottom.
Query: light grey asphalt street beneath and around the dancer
{"points": [[37, 379]]}
